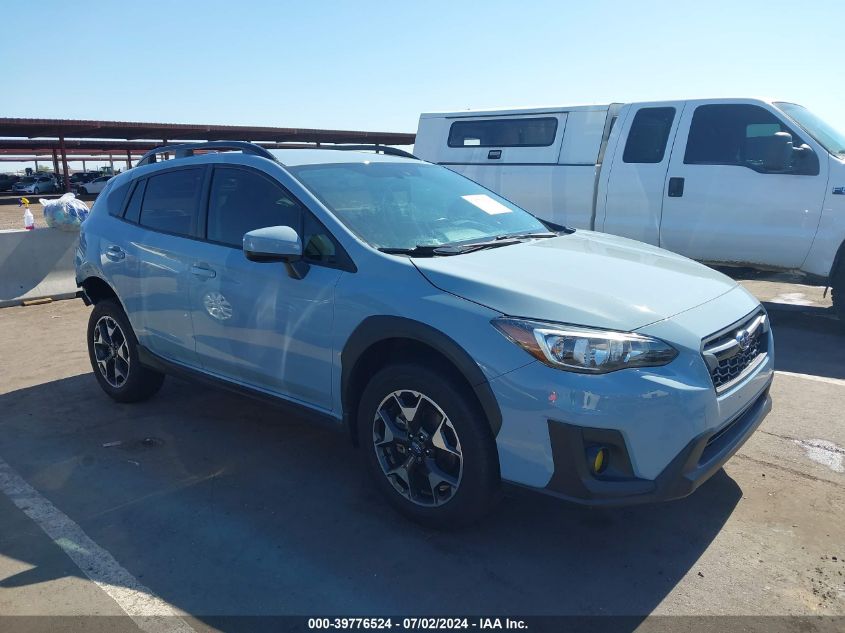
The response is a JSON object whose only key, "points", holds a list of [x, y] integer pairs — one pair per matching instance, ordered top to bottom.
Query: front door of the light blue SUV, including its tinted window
{"points": [[253, 322]]}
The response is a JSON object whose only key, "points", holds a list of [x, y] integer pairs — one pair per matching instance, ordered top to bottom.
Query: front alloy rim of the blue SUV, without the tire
{"points": [[417, 448]]}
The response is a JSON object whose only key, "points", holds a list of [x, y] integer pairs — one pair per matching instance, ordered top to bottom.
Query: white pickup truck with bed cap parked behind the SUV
{"points": [[744, 182]]}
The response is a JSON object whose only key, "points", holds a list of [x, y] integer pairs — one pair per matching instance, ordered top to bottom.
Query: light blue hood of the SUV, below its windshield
{"points": [[585, 278]]}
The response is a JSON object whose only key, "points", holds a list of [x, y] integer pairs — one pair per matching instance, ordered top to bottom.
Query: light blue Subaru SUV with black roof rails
{"points": [[459, 340]]}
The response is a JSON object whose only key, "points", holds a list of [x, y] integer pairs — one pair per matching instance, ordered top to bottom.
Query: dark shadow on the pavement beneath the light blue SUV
{"points": [[220, 506]]}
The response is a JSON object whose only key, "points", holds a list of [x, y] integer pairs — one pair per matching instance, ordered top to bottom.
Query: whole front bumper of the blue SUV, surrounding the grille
{"points": [[659, 424]]}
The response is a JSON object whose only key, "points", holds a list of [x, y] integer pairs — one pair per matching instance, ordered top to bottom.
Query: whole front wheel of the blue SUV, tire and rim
{"points": [[445, 472]]}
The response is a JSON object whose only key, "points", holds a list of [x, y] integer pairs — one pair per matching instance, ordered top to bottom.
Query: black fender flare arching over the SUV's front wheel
{"points": [[380, 328]]}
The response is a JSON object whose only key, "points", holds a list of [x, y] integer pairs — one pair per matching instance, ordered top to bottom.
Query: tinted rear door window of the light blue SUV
{"points": [[171, 200]]}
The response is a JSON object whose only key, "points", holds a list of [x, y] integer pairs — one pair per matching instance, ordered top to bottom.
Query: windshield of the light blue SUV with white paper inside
{"points": [[399, 205]]}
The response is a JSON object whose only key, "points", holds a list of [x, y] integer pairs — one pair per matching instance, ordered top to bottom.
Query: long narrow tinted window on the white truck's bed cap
{"points": [[534, 132]]}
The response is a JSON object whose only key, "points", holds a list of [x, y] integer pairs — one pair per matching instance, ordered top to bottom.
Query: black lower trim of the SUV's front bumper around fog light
{"points": [[696, 463]]}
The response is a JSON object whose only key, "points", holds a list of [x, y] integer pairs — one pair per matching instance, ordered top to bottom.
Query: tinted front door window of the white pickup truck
{"points": [[744, 135]]}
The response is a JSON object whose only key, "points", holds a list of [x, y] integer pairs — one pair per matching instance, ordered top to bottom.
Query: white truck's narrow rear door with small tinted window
{"points": [[631, 190]]}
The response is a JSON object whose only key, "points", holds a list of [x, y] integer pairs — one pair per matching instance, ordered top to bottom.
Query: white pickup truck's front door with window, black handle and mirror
{"points": [[736, 193]]}
